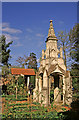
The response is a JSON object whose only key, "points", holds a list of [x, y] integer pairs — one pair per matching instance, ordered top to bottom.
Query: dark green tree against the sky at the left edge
{"points": [[4, 51]]}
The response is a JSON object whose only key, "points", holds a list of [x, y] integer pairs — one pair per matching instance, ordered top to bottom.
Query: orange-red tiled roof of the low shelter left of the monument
{"points": [[18, 71]]}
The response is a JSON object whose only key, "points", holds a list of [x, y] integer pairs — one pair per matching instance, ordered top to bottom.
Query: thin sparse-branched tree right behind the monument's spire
{"points": [[63, 41]]}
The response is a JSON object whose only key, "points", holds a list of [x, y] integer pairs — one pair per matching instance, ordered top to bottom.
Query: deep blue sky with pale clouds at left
{"points": [[27, 24]]}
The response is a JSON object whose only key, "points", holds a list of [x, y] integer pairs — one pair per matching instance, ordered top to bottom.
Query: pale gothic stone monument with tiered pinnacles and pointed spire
{"points": [[52, 71]]}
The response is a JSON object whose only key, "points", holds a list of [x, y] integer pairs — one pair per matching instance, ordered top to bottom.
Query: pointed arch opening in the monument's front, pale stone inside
{"points": [[56, 87]]}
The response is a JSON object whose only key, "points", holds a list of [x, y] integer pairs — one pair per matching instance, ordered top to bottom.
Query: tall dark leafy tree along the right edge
{"points": [[74, 38]]}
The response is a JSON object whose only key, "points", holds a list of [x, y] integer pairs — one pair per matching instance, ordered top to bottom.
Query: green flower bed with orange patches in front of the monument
{"points": [[22, 109]]}
